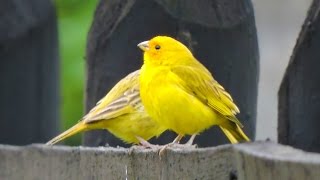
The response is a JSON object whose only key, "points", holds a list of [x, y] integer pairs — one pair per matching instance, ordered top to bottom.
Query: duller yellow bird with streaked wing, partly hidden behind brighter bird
{"points": [[121, 113]]}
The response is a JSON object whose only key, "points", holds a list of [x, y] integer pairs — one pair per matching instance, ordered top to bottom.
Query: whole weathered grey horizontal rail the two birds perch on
{"points": [[244, 161]]}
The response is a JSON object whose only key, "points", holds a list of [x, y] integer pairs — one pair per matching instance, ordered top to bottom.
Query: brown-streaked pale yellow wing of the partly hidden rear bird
{"points": [[122, 99]]}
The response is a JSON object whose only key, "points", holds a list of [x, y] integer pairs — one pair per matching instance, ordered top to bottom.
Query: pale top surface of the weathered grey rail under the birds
{"points": [[263, 150]]}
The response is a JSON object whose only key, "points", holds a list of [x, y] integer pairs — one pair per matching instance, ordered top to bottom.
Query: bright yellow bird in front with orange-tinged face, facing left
{"points": [[179, 93]]}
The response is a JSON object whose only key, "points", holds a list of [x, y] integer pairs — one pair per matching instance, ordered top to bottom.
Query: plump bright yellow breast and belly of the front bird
{"points": [[171, 106]]}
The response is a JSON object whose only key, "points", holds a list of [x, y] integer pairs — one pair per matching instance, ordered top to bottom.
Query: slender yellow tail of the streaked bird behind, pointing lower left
{"points": [[70, 132]]}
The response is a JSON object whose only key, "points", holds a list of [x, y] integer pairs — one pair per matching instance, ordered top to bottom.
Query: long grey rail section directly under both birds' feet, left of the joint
{"points": [[42, 162]]}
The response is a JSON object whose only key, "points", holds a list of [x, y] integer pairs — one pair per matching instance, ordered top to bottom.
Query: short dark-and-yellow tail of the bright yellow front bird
{"points": [[233, 132]]}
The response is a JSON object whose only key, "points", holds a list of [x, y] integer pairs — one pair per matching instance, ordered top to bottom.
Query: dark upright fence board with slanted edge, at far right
{"points": [[299, 94]]}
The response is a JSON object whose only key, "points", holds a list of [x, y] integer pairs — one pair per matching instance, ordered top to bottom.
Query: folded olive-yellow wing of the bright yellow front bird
{"points": [[199, 82]]}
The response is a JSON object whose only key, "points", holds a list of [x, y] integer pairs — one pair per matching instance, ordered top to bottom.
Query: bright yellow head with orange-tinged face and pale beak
{"points": [[163, 50]]}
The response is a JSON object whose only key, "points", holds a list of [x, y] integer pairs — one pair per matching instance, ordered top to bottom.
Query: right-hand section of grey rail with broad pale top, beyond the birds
{"points": [[268, 161]]}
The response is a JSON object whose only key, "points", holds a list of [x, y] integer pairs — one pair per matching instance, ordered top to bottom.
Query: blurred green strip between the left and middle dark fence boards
{"points": [[74, 20]]}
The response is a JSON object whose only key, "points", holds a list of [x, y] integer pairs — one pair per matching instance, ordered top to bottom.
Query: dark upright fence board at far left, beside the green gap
{"points": [[29, 93]]}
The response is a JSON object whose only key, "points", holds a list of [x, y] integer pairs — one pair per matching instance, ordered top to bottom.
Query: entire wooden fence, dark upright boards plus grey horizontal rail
{"points": [[233, 56]]}
